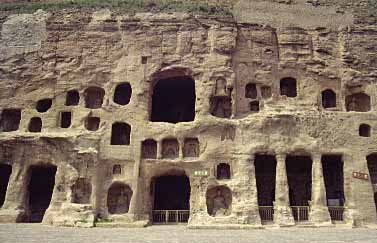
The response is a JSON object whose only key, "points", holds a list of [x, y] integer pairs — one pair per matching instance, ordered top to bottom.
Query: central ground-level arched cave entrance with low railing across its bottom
{"points": [[171, 199]]}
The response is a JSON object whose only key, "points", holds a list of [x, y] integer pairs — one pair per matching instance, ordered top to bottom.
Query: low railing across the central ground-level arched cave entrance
{"points": [[170, 216]]}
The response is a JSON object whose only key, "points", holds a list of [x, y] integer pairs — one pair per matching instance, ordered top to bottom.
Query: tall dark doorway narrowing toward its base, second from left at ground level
{"points": [[41, 186]]}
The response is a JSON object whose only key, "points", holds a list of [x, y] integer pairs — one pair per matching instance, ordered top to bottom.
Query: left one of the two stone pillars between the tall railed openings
{"points": [[282, 211]]}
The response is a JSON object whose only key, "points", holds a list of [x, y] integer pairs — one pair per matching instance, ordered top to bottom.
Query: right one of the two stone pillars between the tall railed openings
{"points": [[319, 213]]}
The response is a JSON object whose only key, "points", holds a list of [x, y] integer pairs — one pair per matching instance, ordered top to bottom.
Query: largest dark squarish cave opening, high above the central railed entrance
{"points": [[173, 100]]}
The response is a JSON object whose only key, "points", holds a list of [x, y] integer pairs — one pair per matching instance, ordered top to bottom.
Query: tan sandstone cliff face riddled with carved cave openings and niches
{"points": [[131, 120]]}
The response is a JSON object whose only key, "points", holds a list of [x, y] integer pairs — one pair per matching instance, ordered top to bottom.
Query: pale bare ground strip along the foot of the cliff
{"points": [[28, 233]]}
